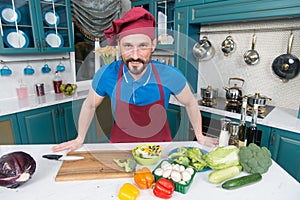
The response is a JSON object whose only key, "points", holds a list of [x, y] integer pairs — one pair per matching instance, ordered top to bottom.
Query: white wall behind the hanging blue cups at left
{"points": [[17, 63]]}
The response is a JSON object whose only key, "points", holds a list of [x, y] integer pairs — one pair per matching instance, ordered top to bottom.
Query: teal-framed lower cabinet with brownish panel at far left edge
{"points": [[9, 127]]}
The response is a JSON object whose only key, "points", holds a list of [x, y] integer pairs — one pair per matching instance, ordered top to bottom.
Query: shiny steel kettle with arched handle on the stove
{"points": [[234, 93]]}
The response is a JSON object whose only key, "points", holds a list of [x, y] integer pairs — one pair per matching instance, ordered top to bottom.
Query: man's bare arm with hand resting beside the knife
{"points": [[86, 115]]}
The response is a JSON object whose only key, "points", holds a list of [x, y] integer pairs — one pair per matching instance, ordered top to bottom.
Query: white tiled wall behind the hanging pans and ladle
{"points": [[259, 77]]}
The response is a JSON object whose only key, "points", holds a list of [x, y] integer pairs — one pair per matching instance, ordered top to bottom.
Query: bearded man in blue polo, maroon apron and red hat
{"points": [[138, 87]]}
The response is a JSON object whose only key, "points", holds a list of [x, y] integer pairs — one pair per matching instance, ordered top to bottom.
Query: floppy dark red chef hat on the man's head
{"points": [[135, 21]]}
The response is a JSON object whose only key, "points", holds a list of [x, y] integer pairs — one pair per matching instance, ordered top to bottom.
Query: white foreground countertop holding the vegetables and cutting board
{"points": [[276, 184]]}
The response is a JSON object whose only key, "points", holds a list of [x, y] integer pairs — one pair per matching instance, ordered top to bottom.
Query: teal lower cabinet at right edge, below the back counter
{"points": [[285, 149]]}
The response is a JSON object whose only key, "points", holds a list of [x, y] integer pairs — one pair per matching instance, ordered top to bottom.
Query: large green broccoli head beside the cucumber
{"points": [[255, 159]]}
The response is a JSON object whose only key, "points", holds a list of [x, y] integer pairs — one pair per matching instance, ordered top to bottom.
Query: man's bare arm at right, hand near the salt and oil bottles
{"points": [[187, 98]]}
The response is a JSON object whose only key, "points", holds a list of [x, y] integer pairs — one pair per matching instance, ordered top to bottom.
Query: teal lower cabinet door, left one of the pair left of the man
{"points": [[40, 126]]}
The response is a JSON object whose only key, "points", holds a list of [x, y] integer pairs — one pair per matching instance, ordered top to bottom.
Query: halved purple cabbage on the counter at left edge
{"points": [[16, 168]]}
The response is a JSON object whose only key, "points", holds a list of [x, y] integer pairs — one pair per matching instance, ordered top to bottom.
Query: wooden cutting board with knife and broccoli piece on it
{"points": [[95, 165]]}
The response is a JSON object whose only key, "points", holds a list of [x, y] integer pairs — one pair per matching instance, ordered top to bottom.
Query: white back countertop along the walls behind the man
{"points": [[281, 118]]}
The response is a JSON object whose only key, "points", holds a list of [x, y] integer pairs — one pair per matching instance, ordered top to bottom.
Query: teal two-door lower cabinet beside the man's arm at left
{"points": [[51, 124]]}
